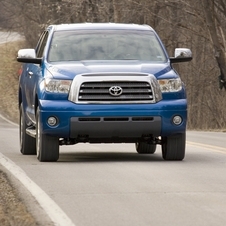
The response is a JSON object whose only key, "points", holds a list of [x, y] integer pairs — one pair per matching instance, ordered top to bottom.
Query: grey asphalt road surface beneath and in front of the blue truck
{"points": [[109, 185]]}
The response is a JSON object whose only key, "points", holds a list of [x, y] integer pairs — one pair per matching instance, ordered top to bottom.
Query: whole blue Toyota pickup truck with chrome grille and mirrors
{"points": [[101, 83]]}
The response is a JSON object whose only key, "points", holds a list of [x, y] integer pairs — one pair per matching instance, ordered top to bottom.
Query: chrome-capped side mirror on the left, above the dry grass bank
{"points": [[28, 56]]}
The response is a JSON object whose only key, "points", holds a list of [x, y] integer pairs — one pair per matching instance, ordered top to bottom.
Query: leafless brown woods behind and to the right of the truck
{"points": [[198, 25]]}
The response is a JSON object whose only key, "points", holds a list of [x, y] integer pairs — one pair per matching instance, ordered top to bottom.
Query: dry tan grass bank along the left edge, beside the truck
{"points": [[9, 78]]}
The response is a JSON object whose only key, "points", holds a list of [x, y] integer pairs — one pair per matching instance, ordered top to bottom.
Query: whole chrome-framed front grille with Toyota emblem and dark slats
{"points": [[110, 88]]}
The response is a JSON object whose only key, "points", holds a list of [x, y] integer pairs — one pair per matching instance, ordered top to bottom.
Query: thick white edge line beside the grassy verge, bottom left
{"points": [[54, 212]]}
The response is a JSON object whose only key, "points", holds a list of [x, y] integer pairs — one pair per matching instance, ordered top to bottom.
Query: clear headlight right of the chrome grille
{"points": [[170, 85]]}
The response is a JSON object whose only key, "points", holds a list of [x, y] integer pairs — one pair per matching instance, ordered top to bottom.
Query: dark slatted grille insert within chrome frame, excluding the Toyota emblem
{"points": [[131, 91]]}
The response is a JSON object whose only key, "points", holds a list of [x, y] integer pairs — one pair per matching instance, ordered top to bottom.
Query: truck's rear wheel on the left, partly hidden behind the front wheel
{"points": [[27, 143]]}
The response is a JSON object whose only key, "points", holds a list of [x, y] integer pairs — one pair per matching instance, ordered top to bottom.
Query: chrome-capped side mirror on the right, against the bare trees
{"points": [[181, 55]]}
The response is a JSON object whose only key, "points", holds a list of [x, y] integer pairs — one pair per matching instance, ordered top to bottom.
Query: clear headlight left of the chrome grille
{"points": [[57, 86]]}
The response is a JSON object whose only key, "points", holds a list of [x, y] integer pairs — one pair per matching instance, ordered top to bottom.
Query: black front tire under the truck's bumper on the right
{"points": [[173, 147]]}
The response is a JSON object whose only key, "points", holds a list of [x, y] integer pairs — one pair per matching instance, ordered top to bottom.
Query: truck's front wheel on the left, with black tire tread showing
{"points": [[47, 147]]}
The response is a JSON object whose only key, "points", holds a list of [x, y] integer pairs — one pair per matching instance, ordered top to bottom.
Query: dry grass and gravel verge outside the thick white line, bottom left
{"points": [[17, 206]]}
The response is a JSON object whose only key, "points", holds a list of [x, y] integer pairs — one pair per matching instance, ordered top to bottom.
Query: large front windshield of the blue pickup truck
{"points": [[105, 45]]}
